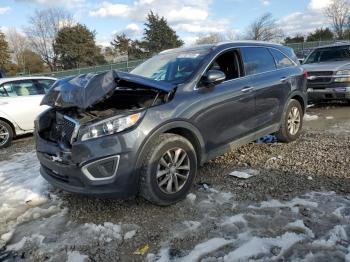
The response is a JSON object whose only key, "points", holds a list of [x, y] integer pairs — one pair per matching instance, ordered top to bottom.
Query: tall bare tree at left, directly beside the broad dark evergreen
{"points": [[43, 29]]}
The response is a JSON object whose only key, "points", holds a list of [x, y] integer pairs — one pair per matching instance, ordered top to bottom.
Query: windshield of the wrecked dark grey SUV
{"points": [[174, 68]]}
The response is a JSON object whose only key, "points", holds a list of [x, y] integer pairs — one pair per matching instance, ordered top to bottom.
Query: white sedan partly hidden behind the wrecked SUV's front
{"points": [[20, 99]]}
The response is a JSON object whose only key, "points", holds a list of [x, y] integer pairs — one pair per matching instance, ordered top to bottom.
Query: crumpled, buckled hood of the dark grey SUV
{"points": [[85, 90]]}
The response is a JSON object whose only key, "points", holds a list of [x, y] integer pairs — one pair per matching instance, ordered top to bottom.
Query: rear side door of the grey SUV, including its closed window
{"points": [[268, 83]]}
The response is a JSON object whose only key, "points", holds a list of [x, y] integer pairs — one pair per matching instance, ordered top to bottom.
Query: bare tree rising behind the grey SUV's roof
{"points": [[264, 28]]}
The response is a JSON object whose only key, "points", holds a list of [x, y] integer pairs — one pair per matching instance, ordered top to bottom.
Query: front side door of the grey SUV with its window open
{"points": [[228, 111]]}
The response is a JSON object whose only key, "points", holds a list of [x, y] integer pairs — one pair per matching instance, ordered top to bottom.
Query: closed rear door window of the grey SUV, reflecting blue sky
{"points": [[257, 60]]}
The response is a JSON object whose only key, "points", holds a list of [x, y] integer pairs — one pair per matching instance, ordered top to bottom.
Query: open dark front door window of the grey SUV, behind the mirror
{"points": [[229, 63]]}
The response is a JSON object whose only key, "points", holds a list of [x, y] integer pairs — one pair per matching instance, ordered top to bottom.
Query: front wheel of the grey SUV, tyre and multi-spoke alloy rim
{"points": [[168, 170]]}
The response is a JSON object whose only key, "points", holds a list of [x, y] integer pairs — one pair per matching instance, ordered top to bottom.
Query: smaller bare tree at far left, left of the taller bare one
{"points": [[18, 43]]}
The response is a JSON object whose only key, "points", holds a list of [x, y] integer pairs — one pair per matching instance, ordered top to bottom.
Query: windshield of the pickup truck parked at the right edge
{"points": [[329, 54]]}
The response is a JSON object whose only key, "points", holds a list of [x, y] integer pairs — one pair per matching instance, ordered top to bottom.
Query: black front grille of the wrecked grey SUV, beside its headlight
{"points": [[63, 129]]}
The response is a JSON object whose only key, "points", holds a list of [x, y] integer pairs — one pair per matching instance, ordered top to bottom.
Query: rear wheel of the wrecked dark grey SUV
{"points": [[291, 122]]}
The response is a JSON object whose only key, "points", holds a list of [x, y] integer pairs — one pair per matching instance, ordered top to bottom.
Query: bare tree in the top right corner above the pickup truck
{"points": [[338, 13]]}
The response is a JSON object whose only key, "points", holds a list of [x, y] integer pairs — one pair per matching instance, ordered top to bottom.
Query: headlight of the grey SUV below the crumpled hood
{"points": [[109, 126]]}
